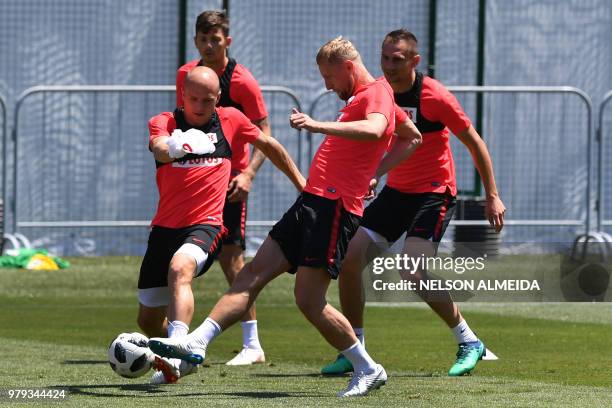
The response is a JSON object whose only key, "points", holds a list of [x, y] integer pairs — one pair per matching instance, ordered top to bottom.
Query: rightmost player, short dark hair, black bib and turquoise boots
{"points": [[419, 197]]}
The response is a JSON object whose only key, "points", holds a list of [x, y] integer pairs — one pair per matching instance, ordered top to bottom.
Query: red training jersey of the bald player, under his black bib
{"points": [[193, 191]]}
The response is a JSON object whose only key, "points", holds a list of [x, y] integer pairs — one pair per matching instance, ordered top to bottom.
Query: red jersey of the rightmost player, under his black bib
{"points": [[431, 167]]}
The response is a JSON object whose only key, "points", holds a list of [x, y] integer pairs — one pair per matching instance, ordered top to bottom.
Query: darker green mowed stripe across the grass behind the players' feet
{"points": [[402, 339]]}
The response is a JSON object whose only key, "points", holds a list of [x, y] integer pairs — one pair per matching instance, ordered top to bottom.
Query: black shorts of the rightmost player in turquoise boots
{"points": [[424, 215]]}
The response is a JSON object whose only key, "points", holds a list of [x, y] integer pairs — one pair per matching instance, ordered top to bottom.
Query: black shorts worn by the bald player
{"points": [[164, 242]]}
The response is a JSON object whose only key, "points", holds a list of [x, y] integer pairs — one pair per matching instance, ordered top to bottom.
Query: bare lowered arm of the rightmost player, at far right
{"points": [[495, 209]]}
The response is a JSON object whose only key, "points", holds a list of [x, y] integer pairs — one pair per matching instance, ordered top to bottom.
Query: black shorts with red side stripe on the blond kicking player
{"points": [[315, 232]]}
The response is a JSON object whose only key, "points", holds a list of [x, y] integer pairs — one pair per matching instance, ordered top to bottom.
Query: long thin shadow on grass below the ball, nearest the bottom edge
{"points": [[150, 390]]}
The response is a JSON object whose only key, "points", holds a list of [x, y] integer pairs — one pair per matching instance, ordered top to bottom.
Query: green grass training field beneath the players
{"points": [[55, 328]]}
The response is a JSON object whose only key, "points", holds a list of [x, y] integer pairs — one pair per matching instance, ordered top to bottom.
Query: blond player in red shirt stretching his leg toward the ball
{"points": [[311, 238]]}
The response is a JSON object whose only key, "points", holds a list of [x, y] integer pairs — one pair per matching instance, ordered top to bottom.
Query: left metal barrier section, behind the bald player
{"points": [[70, 128]]}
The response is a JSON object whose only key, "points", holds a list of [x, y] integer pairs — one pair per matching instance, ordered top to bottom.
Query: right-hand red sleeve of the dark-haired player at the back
{"points": [[245, 91]]}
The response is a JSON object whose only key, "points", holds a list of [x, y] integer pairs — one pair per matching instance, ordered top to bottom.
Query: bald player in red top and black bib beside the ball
{"points": [[192, 150]]}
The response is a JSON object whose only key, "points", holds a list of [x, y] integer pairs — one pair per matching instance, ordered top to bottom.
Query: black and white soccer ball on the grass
{"points": [[129, 356]]}
